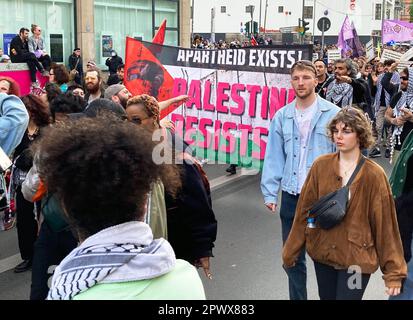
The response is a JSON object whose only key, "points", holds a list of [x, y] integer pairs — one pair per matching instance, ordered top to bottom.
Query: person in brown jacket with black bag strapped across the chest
{"points": [[368, 236]]}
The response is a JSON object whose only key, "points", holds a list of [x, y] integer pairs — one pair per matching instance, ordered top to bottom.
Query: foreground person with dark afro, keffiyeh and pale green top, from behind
{"points": [[117, 257]]}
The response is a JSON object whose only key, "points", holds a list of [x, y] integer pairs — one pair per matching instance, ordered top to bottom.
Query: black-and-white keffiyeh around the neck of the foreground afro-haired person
{"points": [[122, 253]]}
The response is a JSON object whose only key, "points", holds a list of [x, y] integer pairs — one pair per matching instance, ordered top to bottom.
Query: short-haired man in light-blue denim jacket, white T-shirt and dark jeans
{"points": [[298, 135]]}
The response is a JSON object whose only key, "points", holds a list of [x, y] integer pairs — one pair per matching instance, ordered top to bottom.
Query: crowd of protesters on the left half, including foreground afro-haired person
{"points": [[159, 217]]}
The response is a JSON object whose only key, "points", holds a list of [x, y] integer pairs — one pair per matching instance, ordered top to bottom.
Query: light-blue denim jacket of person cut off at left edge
{"points": [[14, 120]]}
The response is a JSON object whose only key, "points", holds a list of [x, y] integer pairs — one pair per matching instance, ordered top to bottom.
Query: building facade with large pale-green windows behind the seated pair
{"points": [[96, 26]]}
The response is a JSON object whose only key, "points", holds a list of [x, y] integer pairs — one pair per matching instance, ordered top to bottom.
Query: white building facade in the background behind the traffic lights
{"points": [[282, 15]]}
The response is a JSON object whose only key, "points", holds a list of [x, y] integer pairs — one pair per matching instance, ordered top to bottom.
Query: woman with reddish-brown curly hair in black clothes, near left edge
{"points": [[27, 226]]}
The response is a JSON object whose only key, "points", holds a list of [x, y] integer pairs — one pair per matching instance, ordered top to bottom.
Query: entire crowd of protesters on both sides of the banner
{"points": [[118, 226]]}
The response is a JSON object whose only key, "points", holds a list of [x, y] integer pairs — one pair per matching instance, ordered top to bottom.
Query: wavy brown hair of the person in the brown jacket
{"points": [[355, 119]]}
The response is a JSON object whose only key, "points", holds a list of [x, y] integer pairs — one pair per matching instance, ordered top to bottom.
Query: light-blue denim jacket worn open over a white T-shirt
{"points": [[282, 155]]}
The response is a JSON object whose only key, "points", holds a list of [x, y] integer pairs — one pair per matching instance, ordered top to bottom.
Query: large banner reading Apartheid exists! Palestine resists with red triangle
{"points": [[234, 94]]}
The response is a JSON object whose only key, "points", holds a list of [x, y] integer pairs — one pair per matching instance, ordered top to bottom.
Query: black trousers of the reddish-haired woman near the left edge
{"points": [[26, 225]]}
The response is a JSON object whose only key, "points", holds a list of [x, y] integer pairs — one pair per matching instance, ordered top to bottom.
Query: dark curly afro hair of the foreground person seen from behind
{"points": [[106, 174]]}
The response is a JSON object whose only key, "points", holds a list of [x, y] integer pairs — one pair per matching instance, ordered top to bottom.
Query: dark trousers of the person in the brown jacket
{"points": [[339, 284]]}
